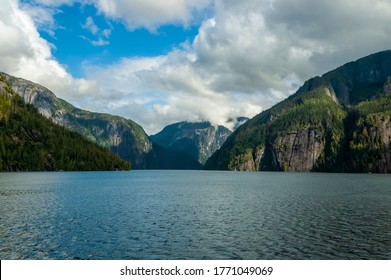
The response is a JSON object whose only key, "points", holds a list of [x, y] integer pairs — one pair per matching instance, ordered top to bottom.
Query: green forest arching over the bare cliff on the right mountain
{"points": [[313, 110]]}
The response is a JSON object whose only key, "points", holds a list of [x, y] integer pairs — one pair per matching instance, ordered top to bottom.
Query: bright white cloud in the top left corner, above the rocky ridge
{"points": [[26, 54]]}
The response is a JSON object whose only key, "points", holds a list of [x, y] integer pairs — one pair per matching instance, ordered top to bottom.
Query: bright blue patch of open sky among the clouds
{"points": [[74, 45]]}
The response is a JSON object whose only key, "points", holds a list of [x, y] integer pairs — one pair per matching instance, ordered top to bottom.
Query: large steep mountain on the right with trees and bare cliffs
{"points": [[339, 122]]}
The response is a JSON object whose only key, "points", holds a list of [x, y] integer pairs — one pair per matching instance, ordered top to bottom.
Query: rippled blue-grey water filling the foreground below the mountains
{"points": [[194, 215]]}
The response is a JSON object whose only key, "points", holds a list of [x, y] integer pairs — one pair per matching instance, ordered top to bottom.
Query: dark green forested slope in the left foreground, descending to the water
{"points": [[31, 142]]}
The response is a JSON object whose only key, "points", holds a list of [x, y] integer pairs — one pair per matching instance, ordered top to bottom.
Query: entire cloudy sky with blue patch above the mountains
{"points": [[160, 62]]}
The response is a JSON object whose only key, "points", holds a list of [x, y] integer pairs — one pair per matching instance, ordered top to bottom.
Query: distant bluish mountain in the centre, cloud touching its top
{"points": [[197, 139]]}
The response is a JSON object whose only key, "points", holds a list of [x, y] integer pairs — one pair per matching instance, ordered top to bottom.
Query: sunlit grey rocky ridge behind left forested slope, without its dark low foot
{"points": [[119, 135]]}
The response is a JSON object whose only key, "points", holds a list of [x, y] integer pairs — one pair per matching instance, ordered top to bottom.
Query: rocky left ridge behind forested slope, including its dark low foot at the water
{"points": [[120, 135]]}
